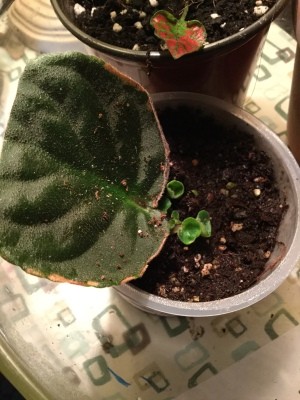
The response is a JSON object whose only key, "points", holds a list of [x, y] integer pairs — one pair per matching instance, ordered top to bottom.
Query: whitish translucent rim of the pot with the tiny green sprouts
{"points": [[158, 305]]}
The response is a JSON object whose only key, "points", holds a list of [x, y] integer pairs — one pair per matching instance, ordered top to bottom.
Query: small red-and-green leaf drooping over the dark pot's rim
{"points": [[180, 36]]}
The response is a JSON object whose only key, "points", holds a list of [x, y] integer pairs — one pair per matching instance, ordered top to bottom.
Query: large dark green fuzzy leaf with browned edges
{"points": [[83, 166]]}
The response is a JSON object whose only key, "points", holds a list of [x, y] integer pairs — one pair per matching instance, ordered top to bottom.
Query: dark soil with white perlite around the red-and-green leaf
{"points": [[127, 23]]}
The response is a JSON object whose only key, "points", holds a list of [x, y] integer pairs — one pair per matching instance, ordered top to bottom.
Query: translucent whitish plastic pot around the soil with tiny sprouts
{"points": [[283, 258]]}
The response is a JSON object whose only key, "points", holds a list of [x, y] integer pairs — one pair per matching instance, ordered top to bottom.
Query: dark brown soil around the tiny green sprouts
{"points": [[224, 173]]}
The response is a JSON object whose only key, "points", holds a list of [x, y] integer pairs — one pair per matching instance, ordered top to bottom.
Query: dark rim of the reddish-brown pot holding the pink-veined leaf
{"points": [[236, 39]]}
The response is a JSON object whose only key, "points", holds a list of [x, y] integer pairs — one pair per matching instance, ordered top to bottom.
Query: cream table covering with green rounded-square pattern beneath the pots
{"points": [[64, 342]]}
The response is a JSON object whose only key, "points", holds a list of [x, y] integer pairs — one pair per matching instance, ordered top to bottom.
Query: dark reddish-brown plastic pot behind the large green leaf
{"points": [[222, 69]]}
